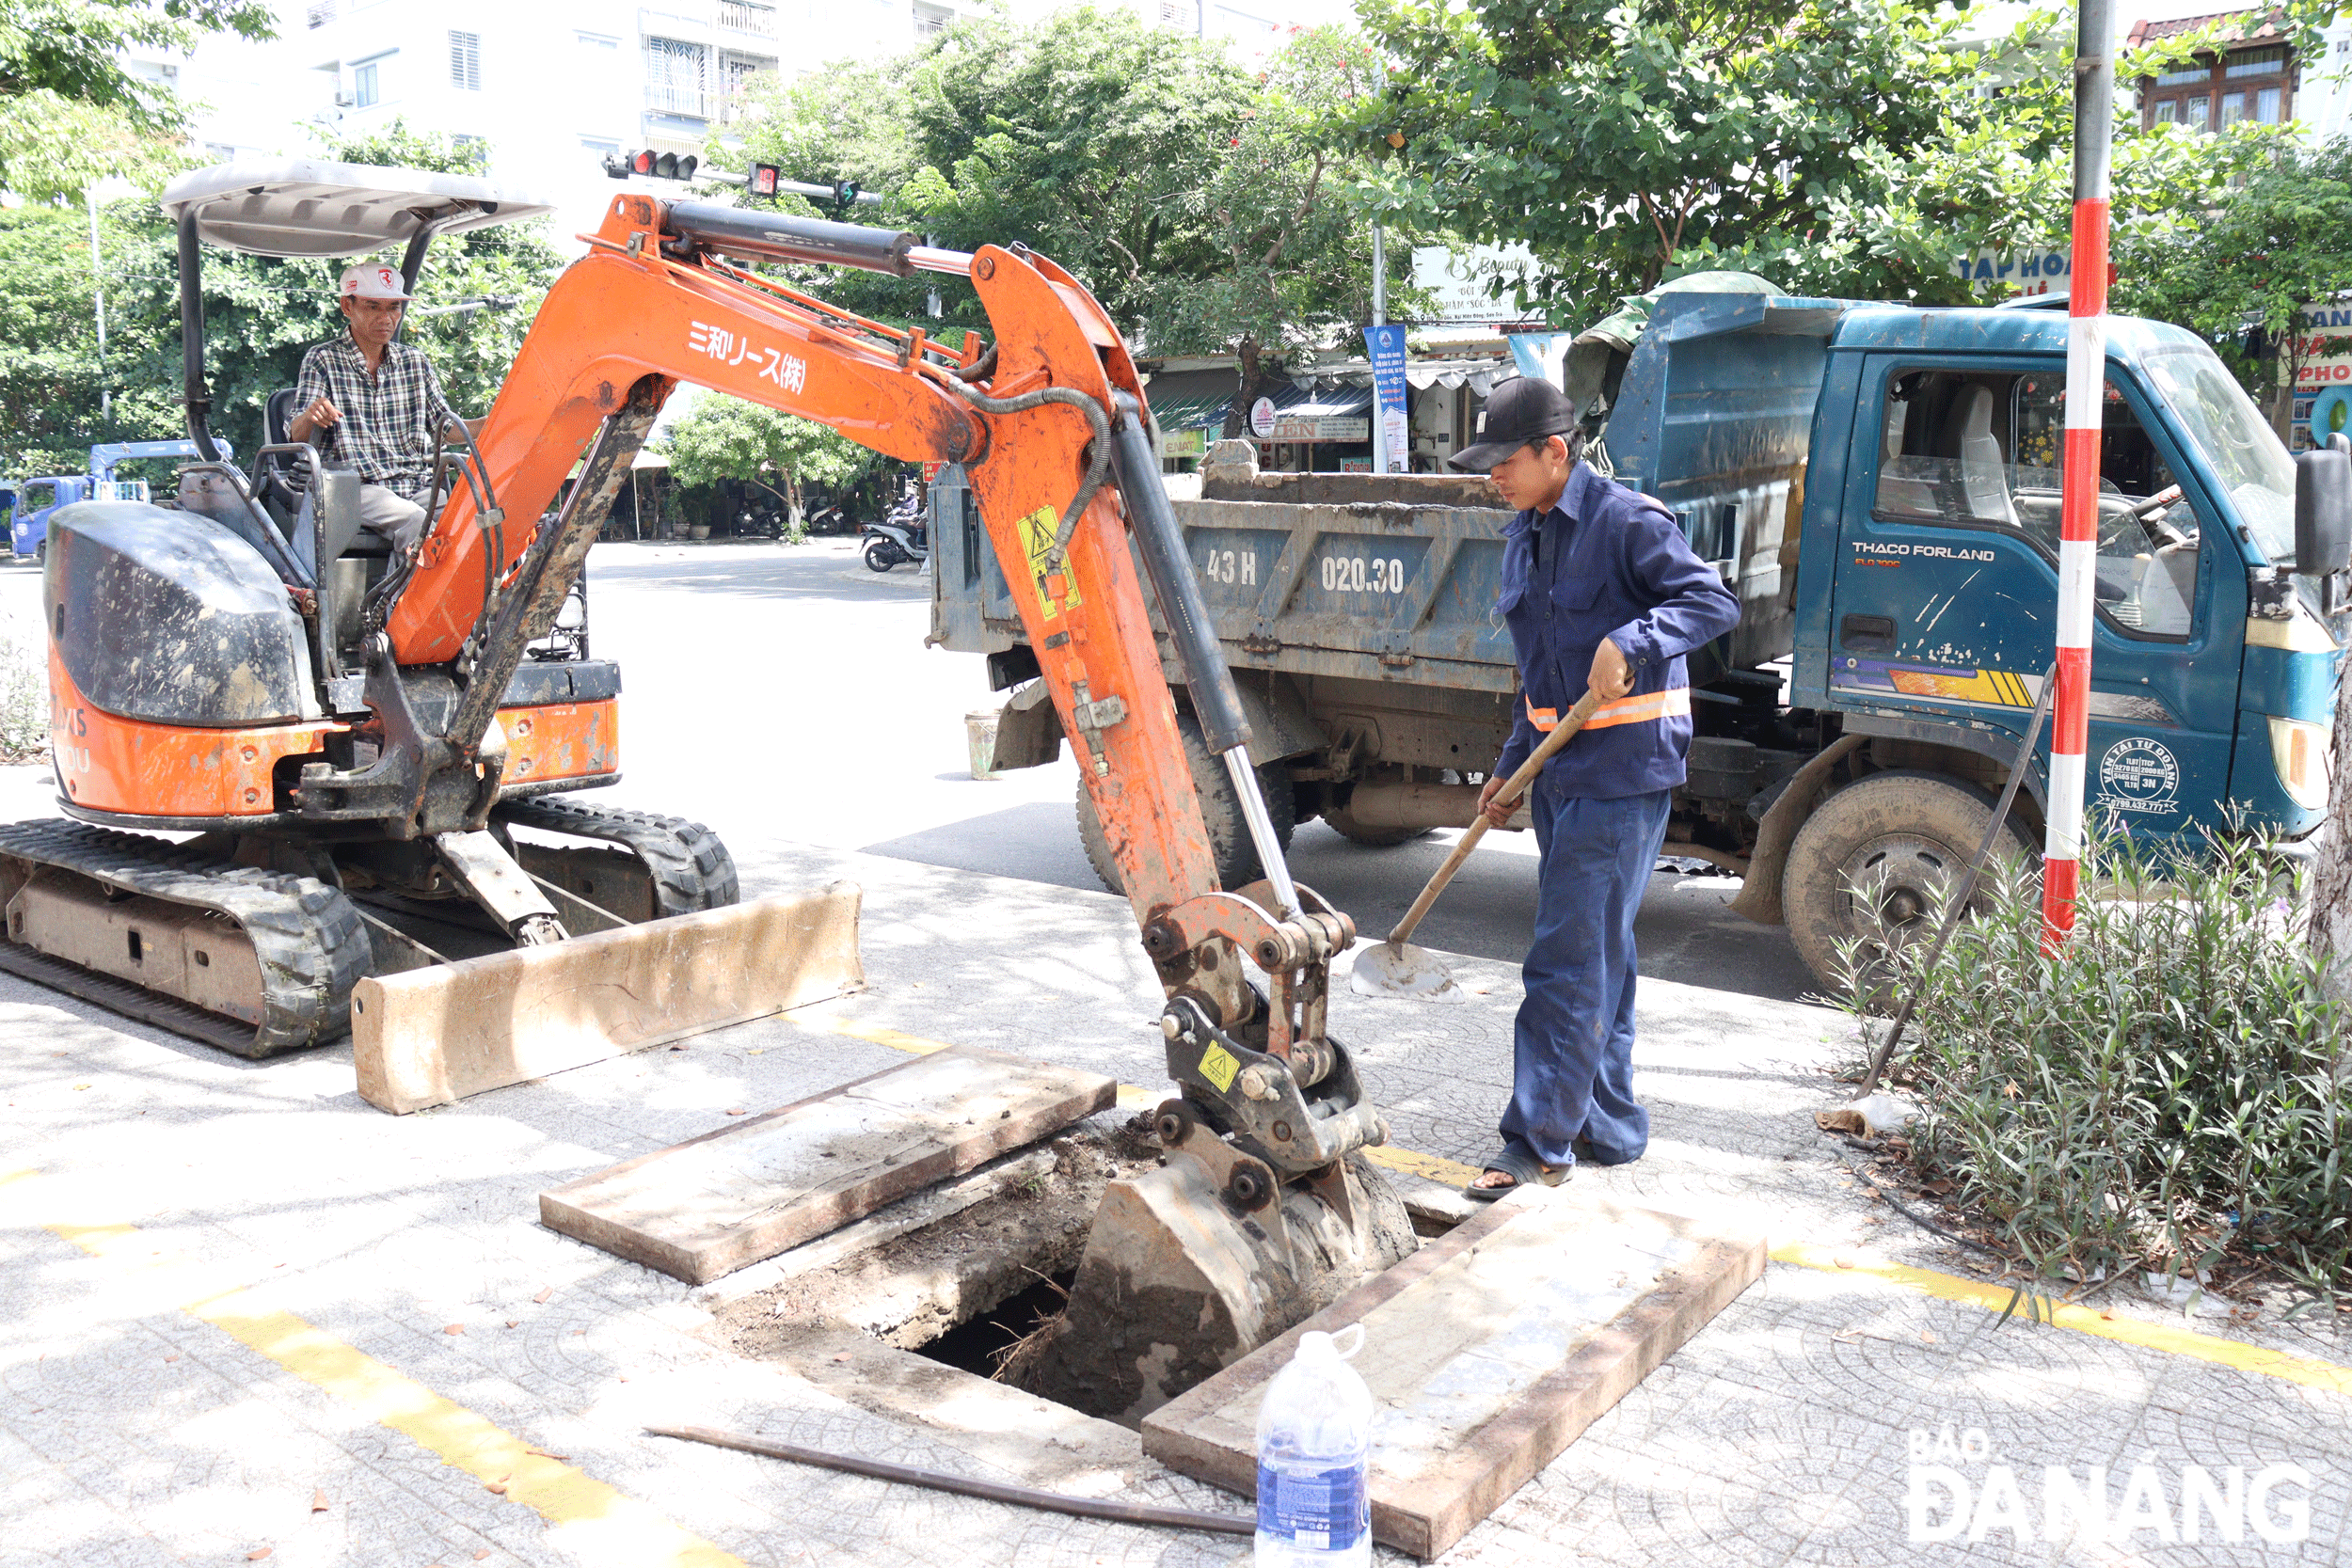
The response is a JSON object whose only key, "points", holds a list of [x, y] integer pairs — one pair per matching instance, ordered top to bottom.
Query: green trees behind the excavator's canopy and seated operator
{"points": [[262, 314]]}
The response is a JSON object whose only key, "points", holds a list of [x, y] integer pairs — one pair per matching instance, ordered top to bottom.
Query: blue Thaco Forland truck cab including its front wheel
{"points": [[1913, 608]]}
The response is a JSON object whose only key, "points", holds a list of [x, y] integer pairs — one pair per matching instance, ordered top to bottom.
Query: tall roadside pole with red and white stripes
{"points": [[2078, 516]]}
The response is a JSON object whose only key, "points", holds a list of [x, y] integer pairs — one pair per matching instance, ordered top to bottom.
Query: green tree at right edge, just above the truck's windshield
{"points": [[2245, 276]]}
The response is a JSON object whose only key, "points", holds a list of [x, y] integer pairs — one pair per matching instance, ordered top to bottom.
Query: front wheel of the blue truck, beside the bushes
{"points": [[1913, 831]]}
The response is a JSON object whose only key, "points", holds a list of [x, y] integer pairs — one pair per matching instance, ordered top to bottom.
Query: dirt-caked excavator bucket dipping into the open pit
{"points": [[1194, 1266]]}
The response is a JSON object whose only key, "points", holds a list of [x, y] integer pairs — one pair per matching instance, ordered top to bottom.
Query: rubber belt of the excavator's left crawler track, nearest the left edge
{"points": [[305, 932]]}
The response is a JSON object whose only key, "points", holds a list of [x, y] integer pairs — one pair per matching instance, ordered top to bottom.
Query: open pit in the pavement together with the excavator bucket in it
{"points": [[984, 1282]]}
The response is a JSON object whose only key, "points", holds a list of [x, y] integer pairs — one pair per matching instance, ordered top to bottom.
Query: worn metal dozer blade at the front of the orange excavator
{"points": [[436, 1036]]}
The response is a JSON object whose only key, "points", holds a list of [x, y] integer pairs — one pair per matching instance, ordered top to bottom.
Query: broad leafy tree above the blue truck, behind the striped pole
{"points": [[1836, 147]]}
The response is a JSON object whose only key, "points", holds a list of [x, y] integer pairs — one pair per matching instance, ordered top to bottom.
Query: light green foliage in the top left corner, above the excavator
{"points": [[72, 112]]}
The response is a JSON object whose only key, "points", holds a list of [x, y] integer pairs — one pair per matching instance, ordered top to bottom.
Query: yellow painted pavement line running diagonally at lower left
{"points": [[592, 1520]]}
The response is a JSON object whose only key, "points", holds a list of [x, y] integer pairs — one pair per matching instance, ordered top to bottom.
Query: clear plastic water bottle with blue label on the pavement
{"points": [[1314, 1459]]}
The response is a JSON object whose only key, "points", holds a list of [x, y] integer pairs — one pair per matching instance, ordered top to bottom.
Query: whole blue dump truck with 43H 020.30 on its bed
{"points": [[1880, 488]]}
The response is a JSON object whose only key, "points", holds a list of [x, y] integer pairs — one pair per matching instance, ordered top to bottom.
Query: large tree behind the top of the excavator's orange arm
{"points": [[1210, 208]]}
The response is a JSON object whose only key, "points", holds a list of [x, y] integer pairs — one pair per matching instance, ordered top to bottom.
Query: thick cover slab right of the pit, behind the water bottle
{"points": [[1488, 1355]]}
